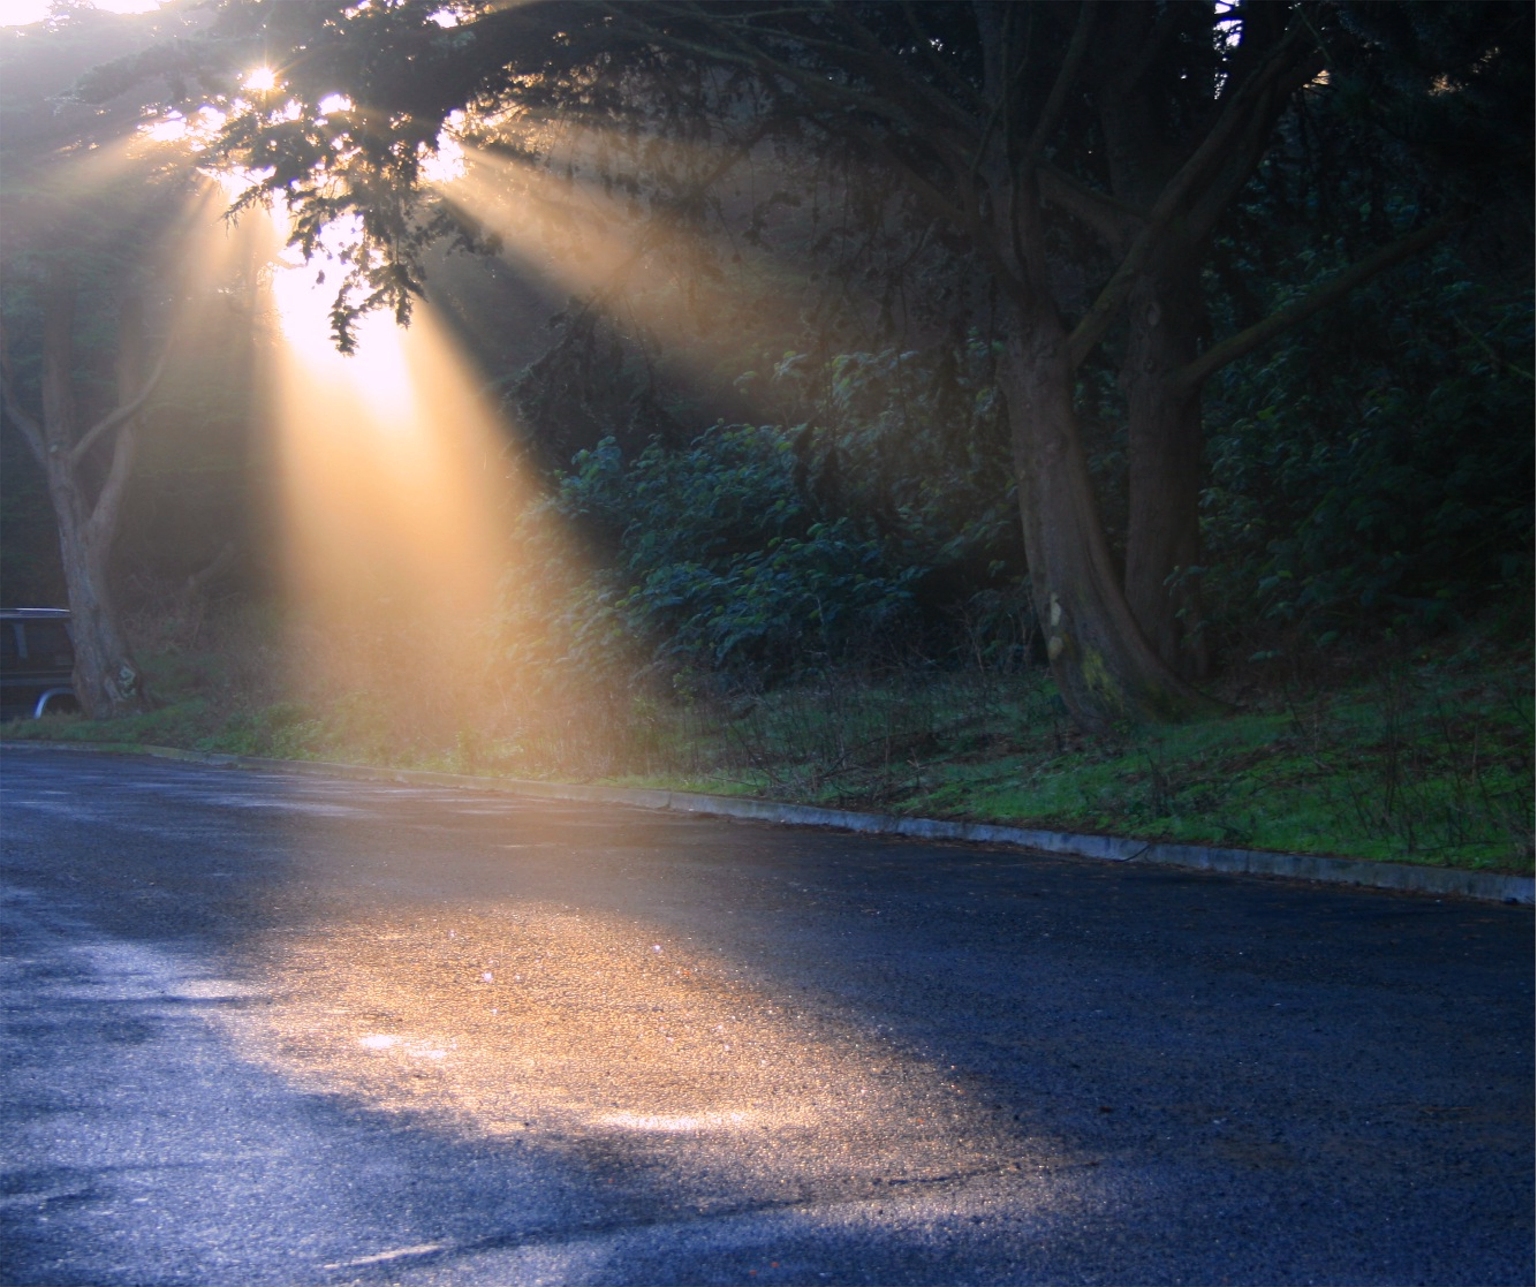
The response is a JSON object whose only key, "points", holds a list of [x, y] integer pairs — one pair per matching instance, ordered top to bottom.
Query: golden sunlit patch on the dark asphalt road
{"points": [[540, 1024]]}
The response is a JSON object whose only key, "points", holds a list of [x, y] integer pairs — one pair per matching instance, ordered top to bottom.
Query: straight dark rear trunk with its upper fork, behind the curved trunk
{"points": [[1147, 151]]}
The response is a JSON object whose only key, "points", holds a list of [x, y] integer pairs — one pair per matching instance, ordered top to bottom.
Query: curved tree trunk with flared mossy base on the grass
{"points": [[1101, 660]]}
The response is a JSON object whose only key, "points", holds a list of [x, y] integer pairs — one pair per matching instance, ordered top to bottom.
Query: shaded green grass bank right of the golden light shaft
{"points": [[1426, 764]]}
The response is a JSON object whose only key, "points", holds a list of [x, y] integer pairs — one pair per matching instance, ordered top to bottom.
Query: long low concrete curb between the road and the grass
{"points": [[1483, 885]]}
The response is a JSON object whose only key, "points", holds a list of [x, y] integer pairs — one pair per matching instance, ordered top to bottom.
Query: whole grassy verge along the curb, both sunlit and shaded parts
{"points": [[1428, 761]]}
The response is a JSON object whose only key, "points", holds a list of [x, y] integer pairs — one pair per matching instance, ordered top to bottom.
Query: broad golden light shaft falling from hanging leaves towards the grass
{"points": [[419, 571]]}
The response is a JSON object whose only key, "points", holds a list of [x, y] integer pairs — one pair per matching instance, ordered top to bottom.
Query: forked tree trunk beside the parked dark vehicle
{"points": [[87, 492]]}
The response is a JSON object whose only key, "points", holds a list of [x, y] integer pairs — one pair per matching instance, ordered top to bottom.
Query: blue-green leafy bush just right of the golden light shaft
{"points": [[720, 564]]}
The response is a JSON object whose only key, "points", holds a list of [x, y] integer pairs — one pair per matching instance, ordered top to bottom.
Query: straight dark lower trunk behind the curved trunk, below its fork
{"points": [[1167, 316]]}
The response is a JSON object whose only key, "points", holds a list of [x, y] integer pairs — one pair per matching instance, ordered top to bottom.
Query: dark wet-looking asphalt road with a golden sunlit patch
{"points": [[266, 1028]]}
